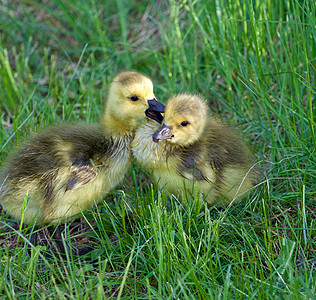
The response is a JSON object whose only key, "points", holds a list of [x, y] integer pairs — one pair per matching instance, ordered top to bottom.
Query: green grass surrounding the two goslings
{"points": [[255, 63]]}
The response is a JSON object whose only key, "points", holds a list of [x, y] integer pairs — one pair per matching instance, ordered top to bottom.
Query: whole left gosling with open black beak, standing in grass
{"points": [[65, 169]]}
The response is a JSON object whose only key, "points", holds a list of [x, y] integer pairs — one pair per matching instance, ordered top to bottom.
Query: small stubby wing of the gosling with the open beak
{"points": [[82, 173]]}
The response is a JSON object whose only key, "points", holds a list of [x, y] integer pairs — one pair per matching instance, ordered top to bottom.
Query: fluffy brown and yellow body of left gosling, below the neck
{"points": [[62, 170]]}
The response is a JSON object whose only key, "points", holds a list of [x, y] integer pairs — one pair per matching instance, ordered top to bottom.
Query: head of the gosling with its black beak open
{"points": [[130, 95]]}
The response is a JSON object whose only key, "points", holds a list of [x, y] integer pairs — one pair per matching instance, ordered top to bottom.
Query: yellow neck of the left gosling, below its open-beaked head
{"points": [[113, 125]]}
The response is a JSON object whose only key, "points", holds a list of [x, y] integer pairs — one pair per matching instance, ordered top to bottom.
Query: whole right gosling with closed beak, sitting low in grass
{"points": [[193, 150]]}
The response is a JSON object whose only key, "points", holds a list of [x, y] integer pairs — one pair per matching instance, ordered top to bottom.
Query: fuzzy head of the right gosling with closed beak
{"points": [[184, 120]]}
